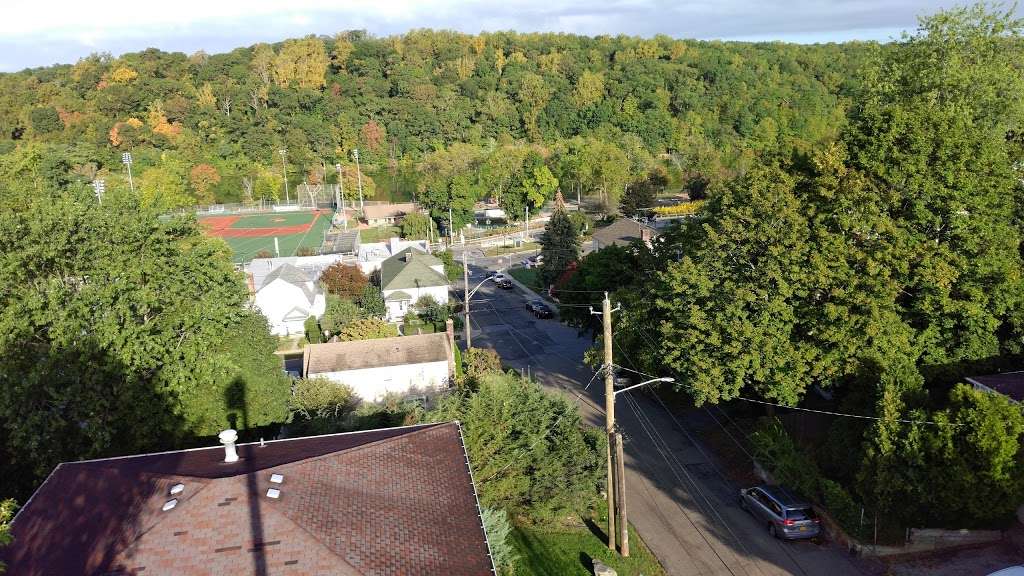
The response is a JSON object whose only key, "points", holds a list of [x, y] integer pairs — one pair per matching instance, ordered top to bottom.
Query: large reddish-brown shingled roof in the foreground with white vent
{"points": [[388, 502]]}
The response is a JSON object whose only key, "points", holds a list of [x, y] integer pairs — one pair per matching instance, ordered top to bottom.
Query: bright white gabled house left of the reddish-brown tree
{"points": [[287, 298]]}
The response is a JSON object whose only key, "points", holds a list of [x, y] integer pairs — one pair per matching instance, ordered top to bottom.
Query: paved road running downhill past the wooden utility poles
{"points": [[685, 510]]}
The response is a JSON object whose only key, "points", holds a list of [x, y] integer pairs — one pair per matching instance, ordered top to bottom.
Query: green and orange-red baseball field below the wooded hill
{"points": [[248, 235]]}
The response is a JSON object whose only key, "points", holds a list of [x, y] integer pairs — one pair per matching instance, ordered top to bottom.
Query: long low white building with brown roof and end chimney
{"points": [[408, 366]]}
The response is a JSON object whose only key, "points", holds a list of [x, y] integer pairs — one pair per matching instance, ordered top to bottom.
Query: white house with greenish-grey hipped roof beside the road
{"points": [[409, 276]]}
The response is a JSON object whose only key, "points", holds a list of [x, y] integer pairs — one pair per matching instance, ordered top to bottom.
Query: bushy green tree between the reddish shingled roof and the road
{"points": [[531, 452]]}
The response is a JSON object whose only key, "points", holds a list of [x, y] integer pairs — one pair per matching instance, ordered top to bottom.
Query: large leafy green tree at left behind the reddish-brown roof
{"points": [[116, 333]]}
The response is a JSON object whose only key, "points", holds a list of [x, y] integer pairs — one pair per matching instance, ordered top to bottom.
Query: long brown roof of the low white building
{"points": [[377, 353]]}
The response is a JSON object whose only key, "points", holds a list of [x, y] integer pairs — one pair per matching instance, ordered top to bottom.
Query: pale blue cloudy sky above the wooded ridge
{"points": [[46, 32]]}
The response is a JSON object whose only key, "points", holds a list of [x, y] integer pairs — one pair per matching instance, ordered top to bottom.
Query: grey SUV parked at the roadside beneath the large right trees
{"points": [[786, 515]]}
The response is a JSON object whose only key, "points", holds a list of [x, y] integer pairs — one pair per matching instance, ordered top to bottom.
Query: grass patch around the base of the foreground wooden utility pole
{"points": [[570, 552]]}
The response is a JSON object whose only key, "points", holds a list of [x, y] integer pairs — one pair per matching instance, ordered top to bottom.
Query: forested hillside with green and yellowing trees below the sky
{"points": [[447, 117]]}
